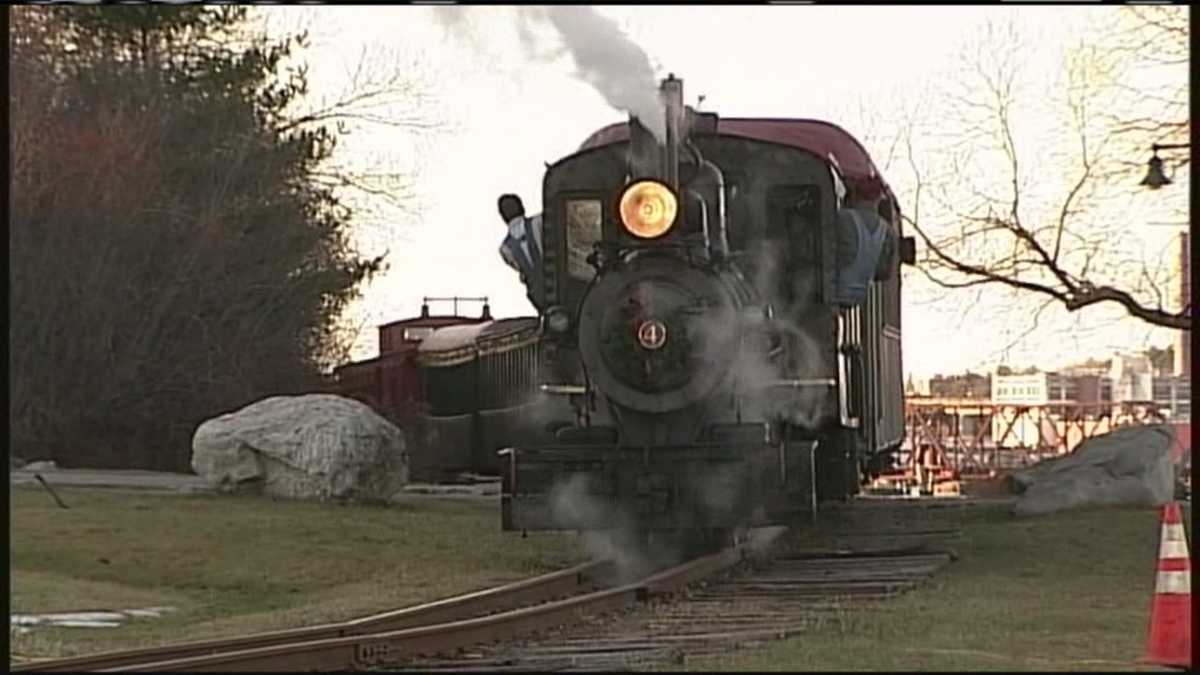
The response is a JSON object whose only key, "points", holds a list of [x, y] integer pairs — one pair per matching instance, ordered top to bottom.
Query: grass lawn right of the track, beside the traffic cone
{"points": [[1069, 592]]}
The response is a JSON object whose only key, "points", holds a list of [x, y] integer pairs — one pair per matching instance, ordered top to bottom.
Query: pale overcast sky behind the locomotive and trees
{"points": [[501, 114]]}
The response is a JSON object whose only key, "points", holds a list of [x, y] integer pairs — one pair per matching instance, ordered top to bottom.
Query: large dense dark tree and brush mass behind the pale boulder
{"points": [[170, 258]]}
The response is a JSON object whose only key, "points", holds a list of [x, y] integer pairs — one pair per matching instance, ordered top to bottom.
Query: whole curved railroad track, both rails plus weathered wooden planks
{"points": [[572, 613]]}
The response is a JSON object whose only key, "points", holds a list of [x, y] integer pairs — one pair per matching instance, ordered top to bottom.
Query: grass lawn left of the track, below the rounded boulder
{"points": [[235, 565]]}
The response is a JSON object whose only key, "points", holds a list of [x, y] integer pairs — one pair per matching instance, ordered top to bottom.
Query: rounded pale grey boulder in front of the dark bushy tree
{"points": [[316, 446]]}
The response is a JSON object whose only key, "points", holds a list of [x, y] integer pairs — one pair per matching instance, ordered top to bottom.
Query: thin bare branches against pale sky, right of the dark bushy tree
{"points": [[382, 104]]}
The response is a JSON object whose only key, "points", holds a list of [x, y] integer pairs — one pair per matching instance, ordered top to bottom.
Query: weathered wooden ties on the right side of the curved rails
{"points": [[800, 589]]}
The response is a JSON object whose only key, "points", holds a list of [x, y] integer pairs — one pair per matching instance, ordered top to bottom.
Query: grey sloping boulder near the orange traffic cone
{"points": [[1130, 467]]}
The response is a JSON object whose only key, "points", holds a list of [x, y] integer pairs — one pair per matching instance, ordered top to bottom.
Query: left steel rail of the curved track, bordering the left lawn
{"points": [[509, 596]]}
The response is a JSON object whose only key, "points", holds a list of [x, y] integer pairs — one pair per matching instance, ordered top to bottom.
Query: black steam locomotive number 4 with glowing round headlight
{"points": [[697, 371]]}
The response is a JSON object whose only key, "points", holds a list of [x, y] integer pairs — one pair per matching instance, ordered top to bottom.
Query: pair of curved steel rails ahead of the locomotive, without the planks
{"points": [[487, 617]]}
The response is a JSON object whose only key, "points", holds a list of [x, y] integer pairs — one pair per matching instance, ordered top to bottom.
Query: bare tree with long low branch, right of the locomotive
{"points": [[1039, 210]]}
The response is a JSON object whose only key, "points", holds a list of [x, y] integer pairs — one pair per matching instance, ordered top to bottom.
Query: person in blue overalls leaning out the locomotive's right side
{"points": [[866, 243]]}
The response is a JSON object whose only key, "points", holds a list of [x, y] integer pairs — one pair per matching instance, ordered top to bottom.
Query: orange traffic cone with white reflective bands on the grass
{"points": [[1171, 616]]}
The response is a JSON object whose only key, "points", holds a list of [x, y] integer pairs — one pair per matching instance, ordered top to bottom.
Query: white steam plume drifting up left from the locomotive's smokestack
{"points": [[604, 56]]}
